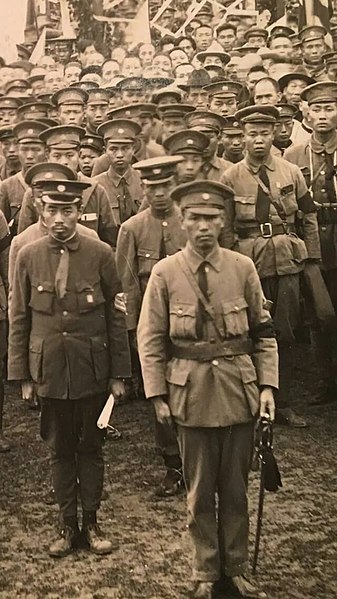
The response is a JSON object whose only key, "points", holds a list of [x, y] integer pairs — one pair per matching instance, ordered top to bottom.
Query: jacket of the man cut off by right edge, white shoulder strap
{"points": [[311, 157]]}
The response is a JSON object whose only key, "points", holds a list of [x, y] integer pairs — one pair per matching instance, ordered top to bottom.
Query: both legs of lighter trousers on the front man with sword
{"points": [[216, 463]]}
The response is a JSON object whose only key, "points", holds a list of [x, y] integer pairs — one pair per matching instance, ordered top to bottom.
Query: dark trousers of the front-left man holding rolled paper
{"points": [[69, 427]]}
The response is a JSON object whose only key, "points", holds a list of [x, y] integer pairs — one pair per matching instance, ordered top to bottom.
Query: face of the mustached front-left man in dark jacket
{"points": [[60, 219]]}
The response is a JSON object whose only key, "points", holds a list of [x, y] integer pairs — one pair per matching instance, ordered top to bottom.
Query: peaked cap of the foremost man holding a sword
{"points": [[203, 197]]}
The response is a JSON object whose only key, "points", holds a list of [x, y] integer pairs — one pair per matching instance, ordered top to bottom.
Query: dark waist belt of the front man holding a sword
{"points": [[204, 351]]}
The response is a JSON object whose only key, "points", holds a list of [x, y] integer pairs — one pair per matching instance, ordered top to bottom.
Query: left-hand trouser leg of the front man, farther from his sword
{"points": [[200, 452]]}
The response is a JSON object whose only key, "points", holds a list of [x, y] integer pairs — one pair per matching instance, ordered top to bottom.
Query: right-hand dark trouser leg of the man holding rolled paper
{"points": [[90, 464]]}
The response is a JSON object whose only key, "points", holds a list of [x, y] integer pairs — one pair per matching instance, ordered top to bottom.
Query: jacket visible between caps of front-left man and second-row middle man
{"points": [[124, 199]]}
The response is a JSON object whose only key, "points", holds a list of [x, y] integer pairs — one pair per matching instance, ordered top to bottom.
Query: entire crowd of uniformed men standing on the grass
{"points": [[165, 216]]}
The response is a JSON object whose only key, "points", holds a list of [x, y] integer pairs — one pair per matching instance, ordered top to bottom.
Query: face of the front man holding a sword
{"points": [[202, 230]]}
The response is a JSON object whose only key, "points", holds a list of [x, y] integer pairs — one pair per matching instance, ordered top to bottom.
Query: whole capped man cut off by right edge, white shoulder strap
{"points": [[318, 158]]}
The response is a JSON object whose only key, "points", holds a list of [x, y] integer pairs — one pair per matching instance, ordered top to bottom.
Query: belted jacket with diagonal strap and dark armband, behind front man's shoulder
{"points": [[282, 254]]}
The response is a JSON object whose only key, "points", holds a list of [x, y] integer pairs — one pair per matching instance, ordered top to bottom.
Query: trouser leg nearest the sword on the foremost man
{"points": [[233, 520]]}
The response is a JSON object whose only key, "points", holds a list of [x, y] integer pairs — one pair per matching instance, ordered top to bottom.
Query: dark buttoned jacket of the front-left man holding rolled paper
{"points": [[69, 347]]}
